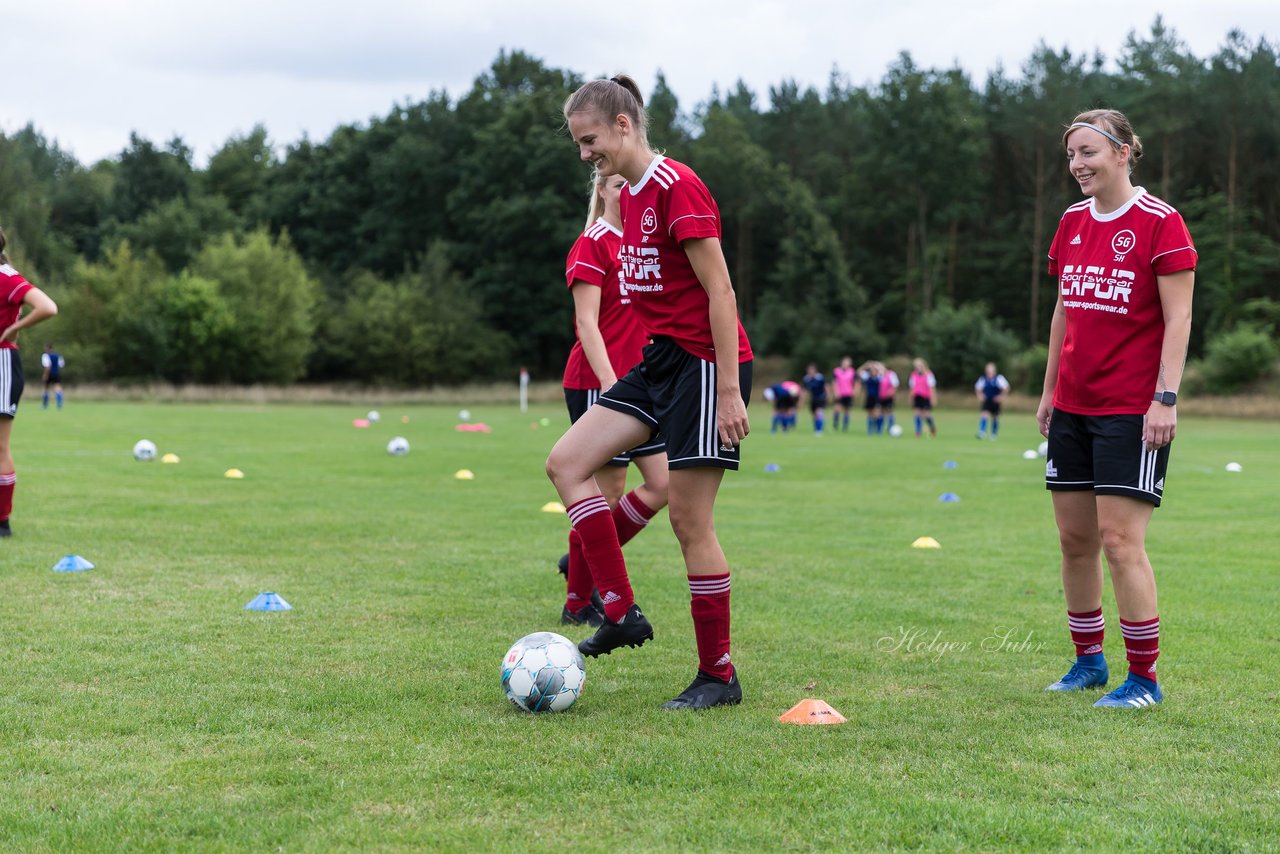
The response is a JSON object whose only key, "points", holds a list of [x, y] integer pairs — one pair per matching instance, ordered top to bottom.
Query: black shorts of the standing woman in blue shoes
{"points": [[1104, 454]]}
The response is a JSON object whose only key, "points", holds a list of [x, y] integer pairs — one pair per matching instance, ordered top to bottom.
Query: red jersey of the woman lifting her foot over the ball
{"points": [[668, 208]]}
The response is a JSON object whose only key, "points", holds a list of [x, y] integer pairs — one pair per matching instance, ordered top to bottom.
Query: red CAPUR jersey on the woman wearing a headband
{"points": [[1107, 268]]}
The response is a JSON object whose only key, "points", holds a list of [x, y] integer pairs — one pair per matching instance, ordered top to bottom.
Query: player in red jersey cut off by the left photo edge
{"points": [[16, 293]]}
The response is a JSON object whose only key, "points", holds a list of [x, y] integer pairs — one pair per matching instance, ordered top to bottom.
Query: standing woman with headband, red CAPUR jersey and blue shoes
{"points": [[1126, 267]]}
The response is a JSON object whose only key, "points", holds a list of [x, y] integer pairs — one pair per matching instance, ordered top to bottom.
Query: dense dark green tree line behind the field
{"points": [[427, 246]]}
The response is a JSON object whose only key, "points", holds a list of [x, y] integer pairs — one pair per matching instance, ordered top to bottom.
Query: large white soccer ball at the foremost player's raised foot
{"points": [[543, 673]]}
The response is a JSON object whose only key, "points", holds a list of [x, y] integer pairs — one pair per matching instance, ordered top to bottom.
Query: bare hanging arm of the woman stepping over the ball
{"points": [[708, 262]]}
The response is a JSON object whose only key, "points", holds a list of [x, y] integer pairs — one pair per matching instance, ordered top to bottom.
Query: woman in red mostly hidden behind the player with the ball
{"points": [[609, 344]]}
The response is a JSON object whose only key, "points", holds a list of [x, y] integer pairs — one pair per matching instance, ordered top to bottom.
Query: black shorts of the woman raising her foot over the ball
{"points": [[674, 392]]}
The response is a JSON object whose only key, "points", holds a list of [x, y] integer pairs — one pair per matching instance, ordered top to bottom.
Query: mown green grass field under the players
{"points": [[143, 709]]}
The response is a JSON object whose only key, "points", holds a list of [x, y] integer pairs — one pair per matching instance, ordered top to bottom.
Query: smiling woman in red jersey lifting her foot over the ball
{"points": [[692, 385]]}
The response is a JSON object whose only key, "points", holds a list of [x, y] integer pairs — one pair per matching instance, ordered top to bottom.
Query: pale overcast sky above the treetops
{"points": [[89, 72]]}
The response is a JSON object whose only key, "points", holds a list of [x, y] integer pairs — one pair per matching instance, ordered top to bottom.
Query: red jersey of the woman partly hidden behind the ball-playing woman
{"points": [[595, 261]]}
